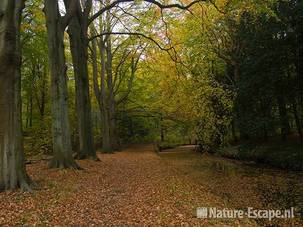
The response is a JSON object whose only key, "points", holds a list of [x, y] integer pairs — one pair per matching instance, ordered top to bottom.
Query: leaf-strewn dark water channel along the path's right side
{"points": [[239, 184]]}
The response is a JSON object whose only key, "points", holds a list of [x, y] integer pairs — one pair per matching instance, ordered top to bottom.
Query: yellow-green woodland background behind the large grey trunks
{"points": [[221, 73]]}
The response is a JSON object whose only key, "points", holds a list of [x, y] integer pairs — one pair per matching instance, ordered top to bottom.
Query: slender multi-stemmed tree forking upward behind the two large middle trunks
{"points": [[116, 70]]}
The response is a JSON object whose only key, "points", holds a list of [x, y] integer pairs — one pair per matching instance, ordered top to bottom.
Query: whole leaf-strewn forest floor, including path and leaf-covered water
{"points": [[138, 187]]}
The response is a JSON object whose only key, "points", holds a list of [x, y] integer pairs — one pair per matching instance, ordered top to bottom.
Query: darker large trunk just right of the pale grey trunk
{"points": [[78, 40]]}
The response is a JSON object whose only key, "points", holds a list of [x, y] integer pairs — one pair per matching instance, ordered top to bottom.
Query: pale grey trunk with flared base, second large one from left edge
{"points": [[60, 122]]}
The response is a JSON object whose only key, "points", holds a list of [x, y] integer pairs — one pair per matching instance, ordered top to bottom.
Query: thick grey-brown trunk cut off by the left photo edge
{"points": [[12, 165]]}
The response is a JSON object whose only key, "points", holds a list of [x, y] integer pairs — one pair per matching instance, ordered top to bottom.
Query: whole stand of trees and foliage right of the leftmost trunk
{"points": [[215, 73]]}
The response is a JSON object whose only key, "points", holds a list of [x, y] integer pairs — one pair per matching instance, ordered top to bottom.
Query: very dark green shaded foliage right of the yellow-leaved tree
{"points": [[267, 65]]}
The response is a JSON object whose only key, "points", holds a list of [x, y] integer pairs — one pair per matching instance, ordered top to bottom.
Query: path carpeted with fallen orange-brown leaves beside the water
{"points": [[134, 187]]}
